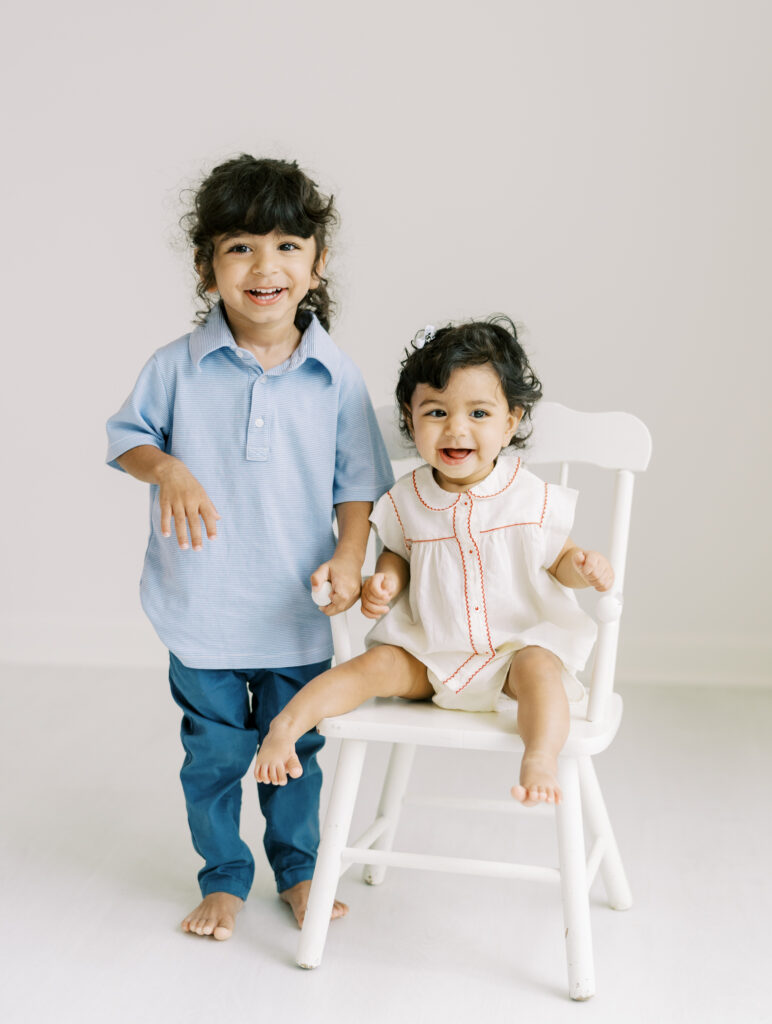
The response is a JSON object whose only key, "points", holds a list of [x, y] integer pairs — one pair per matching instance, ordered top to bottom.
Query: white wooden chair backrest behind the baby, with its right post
{"points": [[616, 442]]}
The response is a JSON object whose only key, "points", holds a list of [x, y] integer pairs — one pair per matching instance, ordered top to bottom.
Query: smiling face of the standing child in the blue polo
{"points": [[263, 279]]}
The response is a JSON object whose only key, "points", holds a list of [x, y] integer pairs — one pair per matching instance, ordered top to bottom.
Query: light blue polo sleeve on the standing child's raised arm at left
{"points": [[144, 419]]}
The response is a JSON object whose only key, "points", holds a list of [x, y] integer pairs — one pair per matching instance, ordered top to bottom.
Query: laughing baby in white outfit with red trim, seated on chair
{"points": [[474, 586]]}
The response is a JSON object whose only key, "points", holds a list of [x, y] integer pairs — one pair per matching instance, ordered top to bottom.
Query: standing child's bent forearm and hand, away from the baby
{"points": [[181, 494]]}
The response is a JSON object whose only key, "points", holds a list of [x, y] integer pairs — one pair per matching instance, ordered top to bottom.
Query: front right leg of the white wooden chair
{"points": [[579, 943]]}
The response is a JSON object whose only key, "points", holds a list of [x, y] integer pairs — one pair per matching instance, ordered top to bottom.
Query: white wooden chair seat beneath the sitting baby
{"points": [[423, 723]]}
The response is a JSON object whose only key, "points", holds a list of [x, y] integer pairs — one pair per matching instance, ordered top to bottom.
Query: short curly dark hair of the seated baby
{"points": [[493, 343]]}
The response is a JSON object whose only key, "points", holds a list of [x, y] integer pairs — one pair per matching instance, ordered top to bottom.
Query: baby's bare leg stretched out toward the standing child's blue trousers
{"points": [[380, 672]]}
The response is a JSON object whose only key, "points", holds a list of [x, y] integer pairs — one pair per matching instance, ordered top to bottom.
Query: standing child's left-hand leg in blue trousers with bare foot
{"points": [[220, 740]]}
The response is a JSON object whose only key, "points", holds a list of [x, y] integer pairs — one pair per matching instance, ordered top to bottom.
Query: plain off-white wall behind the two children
{"points": [[599, 170]]}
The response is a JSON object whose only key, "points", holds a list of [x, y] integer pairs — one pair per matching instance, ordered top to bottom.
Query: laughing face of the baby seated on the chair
{"points": [[461, 431]]}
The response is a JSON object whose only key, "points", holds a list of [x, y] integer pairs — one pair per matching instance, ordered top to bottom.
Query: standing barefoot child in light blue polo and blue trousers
{"points": [[258, 426]]}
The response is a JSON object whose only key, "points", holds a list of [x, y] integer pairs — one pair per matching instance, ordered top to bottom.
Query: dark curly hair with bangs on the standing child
{"points": [[259, 197]]}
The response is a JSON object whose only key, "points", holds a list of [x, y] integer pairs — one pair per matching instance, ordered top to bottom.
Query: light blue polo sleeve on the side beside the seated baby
{"points": [[363, 470]]}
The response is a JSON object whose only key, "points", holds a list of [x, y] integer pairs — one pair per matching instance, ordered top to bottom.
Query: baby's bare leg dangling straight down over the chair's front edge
{"points": [[536, 681]]}
